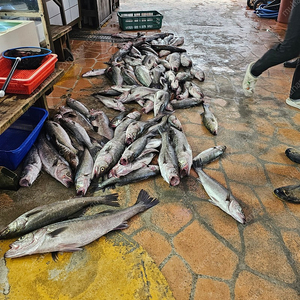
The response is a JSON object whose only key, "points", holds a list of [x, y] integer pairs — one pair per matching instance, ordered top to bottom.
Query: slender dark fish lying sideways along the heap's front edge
{"points": [[135, 176]]}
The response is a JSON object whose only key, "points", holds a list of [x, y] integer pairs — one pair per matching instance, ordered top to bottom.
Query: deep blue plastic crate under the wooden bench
{"points": [[16, 141]]}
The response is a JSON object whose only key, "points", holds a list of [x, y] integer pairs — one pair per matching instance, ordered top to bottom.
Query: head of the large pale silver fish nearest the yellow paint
{"points": [[26, 244]]}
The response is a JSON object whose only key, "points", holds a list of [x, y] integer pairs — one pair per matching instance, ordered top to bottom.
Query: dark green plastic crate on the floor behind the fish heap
{"points": [[136, 20]]}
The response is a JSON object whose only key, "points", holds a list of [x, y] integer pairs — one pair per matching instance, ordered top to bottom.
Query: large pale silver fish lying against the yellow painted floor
{"points": [[72, 235]]}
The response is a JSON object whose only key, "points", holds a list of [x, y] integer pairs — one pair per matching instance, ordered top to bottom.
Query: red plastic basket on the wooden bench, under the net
{"points": [[26, 81]]}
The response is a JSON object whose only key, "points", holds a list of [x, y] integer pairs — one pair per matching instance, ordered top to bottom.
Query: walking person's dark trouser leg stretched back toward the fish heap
{"points": [[288, 49]]}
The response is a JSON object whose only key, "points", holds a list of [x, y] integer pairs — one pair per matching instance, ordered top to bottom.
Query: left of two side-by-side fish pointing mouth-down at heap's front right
{"points": [[167, 160]]}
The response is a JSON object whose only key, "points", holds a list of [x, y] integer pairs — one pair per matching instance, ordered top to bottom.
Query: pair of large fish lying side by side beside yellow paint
{"points": [[47, 229]]}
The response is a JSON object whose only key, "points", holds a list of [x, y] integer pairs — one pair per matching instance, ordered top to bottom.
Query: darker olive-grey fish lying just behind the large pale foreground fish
{"points": [[50, 213]]}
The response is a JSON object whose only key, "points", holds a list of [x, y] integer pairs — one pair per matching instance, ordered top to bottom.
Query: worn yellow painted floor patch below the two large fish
{"points": [[114, 267]]}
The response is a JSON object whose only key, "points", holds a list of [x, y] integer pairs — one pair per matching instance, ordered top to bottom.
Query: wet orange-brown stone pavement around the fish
{"points": [[202, 252]]}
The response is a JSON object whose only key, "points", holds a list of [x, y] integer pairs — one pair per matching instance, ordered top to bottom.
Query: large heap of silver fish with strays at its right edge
{"points": [[82, 144]]}
